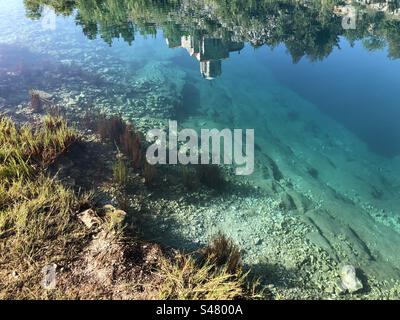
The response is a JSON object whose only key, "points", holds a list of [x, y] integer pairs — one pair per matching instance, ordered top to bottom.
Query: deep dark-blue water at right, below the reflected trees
{"points": [[357, 87]]}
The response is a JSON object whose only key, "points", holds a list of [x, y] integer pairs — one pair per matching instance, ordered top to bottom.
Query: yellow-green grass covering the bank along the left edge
{"points": [[38, 223]]}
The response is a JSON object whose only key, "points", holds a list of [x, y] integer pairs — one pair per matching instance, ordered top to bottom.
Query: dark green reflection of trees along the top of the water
{"points": [[306, 28]]}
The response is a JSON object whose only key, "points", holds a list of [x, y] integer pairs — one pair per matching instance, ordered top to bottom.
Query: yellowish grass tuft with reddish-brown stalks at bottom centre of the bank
{"points": [[217, 276]]}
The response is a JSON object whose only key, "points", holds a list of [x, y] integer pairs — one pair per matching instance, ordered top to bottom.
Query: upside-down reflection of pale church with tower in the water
{"points": [[208, 51]]}
